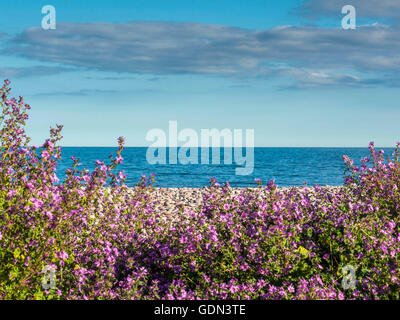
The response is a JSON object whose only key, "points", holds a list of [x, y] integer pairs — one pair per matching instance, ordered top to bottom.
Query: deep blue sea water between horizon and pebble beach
{"points": [[288, 166]]}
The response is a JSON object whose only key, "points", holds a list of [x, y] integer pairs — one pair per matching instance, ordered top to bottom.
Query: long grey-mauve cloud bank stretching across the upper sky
{"points": [[310, 56]]}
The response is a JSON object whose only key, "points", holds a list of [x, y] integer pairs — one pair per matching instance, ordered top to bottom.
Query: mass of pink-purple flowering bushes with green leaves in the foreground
{"points": [[106, 241]]}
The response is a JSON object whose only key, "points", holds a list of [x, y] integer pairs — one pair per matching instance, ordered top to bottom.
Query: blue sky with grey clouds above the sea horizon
{"points": [[283, 68]]}
